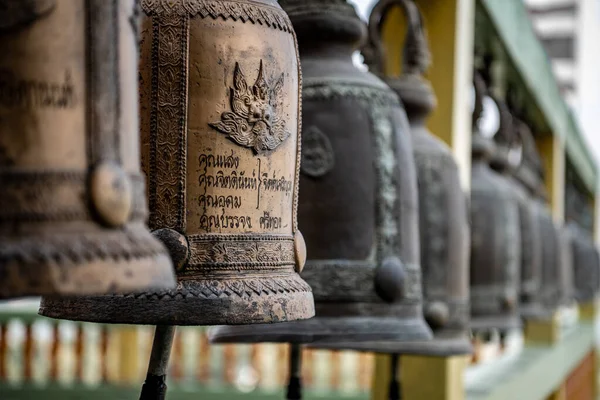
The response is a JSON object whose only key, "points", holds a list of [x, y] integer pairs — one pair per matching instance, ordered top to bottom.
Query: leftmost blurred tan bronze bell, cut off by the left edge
{"points": [[72, 209]]}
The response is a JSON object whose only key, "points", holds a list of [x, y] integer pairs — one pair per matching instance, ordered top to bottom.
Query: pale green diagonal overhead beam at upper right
{"points": [[513, 26]]}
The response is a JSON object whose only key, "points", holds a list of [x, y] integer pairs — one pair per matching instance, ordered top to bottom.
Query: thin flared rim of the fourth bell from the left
{"points": [[456, 343]]}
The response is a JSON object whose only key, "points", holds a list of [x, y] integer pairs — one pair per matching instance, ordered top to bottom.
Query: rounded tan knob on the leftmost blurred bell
{"points": [[111, 193]]}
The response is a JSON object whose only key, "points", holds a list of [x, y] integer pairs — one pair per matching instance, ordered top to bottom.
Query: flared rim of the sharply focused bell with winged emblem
{"points": [[194, 302]]}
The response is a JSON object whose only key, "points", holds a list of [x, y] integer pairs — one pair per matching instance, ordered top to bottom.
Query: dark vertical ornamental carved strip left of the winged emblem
{"points": [[168, 136]]}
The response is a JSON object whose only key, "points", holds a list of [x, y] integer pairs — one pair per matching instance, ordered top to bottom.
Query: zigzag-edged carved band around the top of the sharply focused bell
{"points": [[256, 13]]}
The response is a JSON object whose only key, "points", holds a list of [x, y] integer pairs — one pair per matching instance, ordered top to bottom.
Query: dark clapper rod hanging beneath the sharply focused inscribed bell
{"points": [[155, 387]]}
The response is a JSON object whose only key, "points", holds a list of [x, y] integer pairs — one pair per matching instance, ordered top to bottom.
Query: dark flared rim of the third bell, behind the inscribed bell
{"points": [[325, 330]]}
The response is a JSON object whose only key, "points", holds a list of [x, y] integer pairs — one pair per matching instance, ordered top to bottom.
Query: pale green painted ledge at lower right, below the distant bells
{"points": [[537, 371]]}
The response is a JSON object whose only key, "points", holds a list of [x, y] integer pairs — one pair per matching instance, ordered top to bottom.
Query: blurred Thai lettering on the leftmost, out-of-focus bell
{"points": [[30, 94]]}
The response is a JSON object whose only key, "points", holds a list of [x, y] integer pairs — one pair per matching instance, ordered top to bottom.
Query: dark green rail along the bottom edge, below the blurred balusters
{"points": [[56, 392]]}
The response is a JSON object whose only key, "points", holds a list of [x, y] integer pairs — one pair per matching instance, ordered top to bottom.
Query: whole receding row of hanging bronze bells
{"points": [[382, 209]]}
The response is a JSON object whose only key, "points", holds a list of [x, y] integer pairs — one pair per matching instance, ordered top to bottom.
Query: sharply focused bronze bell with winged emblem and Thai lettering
{"points": [[220, 113]]}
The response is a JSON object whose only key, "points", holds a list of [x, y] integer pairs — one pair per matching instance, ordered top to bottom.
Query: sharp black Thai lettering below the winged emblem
{"points": [[222, 171]]}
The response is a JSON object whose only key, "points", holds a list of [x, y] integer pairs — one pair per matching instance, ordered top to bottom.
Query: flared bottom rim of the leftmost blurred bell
{"points": [[93, 262]]}
